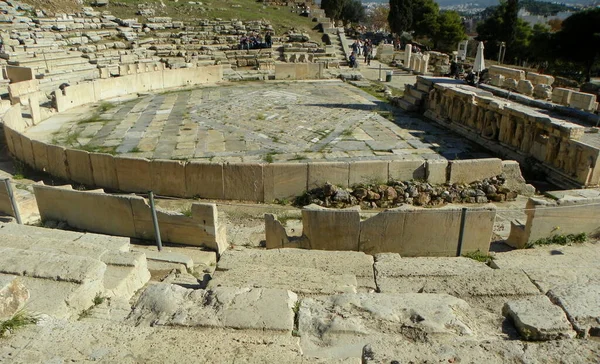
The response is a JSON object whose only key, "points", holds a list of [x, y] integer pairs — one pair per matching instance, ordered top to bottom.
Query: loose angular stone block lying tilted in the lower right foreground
{"points": [[537, 318]]}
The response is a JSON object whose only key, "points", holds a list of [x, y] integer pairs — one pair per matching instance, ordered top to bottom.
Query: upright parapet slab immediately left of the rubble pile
{"points": [[284, 180]]}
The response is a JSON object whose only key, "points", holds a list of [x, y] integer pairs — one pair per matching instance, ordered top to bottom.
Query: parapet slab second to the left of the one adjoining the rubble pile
{"points": [[204, 180]]}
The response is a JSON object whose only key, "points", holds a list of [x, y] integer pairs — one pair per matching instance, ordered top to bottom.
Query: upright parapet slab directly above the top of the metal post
{"points": [[168, 177]]}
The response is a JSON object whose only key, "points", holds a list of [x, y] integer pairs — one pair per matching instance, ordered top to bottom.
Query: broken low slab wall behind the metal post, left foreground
{"points": [[130, 216]]}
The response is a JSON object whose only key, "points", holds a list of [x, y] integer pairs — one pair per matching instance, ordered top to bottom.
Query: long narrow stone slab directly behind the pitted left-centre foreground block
{"points": [[305, 281]]}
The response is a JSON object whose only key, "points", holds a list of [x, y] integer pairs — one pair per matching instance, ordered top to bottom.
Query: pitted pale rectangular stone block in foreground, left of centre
{"points": [[238, 308]]}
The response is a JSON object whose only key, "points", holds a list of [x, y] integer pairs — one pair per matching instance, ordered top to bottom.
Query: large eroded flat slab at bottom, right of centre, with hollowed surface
{"points": [[341, 325]]}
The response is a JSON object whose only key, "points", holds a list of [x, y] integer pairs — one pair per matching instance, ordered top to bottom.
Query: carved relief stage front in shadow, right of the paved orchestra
{"points": [[514, 130]]}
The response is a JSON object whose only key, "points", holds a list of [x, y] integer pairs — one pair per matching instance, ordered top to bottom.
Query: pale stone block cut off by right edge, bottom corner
{"points": [[581, 305]]}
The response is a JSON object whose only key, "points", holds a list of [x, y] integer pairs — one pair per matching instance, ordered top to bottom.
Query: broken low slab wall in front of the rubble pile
{"points": [[399, 230]]}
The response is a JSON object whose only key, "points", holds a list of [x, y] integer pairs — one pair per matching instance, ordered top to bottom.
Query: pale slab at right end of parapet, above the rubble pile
{"points": [[471, 170]]}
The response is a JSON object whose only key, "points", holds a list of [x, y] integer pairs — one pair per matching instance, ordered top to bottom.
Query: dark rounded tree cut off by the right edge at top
{"points": [[579, 40]]}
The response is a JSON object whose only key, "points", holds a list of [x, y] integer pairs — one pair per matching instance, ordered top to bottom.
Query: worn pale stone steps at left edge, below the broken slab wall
{"points": [[67, 273]]}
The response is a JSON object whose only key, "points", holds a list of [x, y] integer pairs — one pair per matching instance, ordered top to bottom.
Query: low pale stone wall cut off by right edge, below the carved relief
{"points": [[575, 212]]}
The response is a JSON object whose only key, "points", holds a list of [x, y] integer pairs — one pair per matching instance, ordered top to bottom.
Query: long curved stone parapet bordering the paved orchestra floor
{"points": [[259, 182]]}
